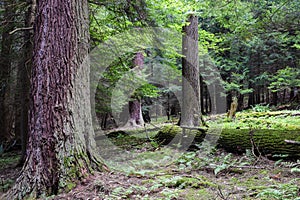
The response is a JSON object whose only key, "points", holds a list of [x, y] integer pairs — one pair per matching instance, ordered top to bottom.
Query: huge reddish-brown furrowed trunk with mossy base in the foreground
{"points": [[61, 143]]}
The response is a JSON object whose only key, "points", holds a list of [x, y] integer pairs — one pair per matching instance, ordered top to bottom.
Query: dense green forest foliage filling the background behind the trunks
{"points": [[251, 48]]}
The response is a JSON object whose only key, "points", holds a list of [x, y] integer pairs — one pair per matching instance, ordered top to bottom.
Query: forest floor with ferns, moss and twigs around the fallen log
{"points": [[142, 169]]}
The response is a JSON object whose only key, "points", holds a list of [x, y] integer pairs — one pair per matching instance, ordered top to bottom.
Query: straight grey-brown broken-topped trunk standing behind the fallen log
{"points": [[191, 113]]}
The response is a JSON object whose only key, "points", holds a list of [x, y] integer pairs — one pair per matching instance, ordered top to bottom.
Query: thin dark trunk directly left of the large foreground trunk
{"points": [[23, 82]]}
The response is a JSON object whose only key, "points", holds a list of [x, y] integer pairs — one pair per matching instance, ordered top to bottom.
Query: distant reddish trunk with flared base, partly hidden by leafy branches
{"points": [[135, 106]]}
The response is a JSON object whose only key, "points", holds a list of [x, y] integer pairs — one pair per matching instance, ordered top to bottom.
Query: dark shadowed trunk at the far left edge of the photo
{"points": [[6, 109]]}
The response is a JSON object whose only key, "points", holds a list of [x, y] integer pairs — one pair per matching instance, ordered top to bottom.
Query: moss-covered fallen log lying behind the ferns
{"points": [[266, 142]]}
